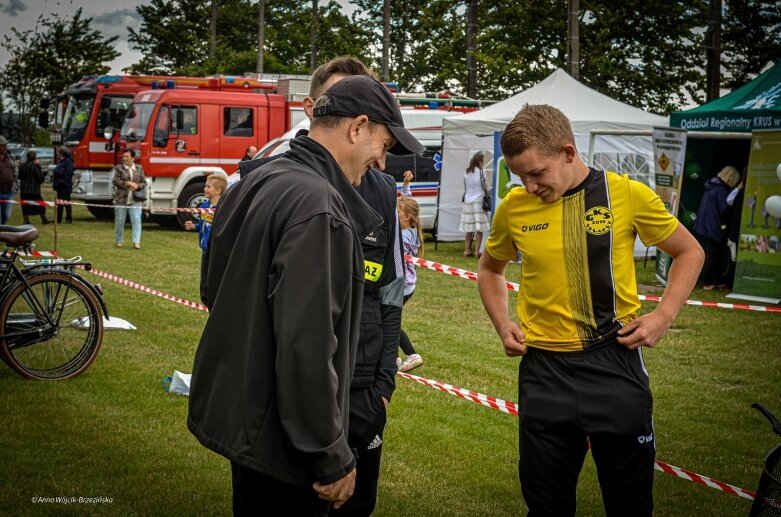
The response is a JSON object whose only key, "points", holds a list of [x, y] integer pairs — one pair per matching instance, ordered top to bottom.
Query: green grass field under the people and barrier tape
{"points": [[115, 433]]}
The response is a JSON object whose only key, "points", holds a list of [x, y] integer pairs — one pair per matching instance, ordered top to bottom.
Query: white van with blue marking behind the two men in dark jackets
{"points": [[426, 126]]}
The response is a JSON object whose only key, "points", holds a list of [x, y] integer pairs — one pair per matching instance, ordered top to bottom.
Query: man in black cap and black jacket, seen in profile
{"points": [[285, 258]]}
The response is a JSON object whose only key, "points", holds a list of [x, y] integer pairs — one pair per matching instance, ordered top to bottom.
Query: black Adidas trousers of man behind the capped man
{"points": [[367, 424]]}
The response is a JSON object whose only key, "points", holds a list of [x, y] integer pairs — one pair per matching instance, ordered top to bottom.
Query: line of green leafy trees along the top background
{"points": [[649, 53]]}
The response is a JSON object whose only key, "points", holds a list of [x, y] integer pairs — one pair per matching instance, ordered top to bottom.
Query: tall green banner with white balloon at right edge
{"points": [[758, 267]]}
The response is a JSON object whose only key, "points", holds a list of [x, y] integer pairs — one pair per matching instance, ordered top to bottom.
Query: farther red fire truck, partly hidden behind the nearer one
{"points": [[89, 106]]}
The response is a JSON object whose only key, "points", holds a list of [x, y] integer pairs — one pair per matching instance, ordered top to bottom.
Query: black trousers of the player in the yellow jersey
{"points": [[568, 399]]}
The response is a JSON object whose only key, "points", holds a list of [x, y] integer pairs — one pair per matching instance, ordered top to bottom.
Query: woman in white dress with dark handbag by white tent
{"points": [[475, 205]]}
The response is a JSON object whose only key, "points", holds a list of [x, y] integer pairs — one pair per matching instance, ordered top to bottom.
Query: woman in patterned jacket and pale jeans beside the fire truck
{"points": [[129, 195]]}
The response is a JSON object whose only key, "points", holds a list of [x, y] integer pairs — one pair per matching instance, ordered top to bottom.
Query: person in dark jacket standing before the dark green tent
{"points": [[710, 225]]}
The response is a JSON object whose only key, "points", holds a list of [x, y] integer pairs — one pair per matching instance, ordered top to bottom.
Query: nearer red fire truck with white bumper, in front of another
{"points": [[181, 136]]}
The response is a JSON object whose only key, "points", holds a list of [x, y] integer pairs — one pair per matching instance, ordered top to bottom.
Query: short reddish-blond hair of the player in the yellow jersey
{"points": [[543, 127]]}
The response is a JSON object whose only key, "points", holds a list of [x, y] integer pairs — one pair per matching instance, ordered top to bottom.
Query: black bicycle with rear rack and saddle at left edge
{"points": [[51, 318]]}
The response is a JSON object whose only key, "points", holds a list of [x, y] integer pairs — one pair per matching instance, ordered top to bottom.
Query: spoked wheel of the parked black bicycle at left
{"points": [[52, 329]]}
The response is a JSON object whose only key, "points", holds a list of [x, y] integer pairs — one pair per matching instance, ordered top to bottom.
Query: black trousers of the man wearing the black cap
{"points": [[255, 494]]}
